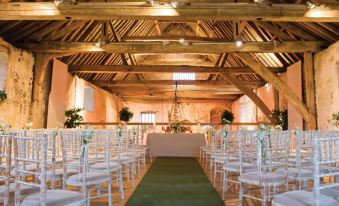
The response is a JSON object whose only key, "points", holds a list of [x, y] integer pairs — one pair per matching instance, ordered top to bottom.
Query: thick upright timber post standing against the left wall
{"points": [[41, 82]]}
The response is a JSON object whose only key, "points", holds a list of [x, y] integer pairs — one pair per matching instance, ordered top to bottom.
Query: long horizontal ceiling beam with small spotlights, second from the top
{"points": [[160, 47]]}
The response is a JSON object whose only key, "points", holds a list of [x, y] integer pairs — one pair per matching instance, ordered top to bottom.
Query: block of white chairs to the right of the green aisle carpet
{"points": [[290, 168]]}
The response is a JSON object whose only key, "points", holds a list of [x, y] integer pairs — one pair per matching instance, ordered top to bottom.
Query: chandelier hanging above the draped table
{"points": [[177, 113]]}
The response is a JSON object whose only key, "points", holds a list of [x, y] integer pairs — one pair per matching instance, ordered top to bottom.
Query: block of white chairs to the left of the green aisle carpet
{"points": [[63, 167]]}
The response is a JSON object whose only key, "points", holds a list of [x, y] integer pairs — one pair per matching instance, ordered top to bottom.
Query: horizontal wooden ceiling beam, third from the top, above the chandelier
{"points": [[164, 69]]}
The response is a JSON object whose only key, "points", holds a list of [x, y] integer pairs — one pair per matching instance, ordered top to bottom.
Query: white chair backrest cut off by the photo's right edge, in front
{"points": [[325, 154]]}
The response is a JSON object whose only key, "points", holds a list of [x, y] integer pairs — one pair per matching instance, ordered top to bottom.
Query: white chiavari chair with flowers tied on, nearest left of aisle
{"points": [[78, 154]]}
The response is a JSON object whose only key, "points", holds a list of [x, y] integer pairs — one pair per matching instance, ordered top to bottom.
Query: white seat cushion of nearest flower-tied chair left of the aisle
{"points": [[91, 178]]}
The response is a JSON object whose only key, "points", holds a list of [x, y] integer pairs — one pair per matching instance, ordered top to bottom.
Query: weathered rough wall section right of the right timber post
{"points": [[326, 69]]}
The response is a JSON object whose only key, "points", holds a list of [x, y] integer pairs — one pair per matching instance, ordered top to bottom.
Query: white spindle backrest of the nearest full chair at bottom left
{"points": [[30, 157]]}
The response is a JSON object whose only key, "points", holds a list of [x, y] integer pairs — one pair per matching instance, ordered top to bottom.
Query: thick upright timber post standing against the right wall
{"points": [[308, 72]]}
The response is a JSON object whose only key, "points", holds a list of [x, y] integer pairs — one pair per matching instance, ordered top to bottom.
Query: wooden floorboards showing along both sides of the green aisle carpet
{"points": [[231, 197]]}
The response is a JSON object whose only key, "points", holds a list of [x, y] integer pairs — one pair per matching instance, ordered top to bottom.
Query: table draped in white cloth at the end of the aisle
{"points": [[175, 144]]}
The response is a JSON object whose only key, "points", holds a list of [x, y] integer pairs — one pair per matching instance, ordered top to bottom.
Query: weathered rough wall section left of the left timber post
{"points": [[18, 85]]}
